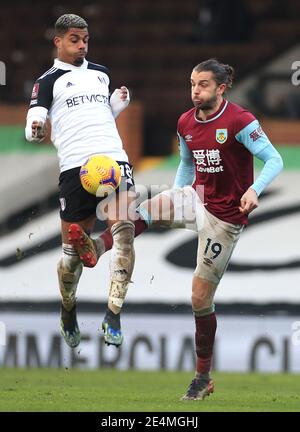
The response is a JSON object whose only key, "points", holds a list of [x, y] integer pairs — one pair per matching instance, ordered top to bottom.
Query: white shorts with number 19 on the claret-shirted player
{"points": [[216, 238]]}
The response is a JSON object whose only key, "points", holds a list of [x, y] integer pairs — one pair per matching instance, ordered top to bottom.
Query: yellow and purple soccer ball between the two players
{"points": [[100, 175]]}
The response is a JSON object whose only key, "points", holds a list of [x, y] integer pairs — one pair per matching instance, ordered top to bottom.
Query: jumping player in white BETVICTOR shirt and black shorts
{"points": [[75, 95]]}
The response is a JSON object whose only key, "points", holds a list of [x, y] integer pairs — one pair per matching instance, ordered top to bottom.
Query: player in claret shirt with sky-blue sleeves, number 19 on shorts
{"points": [[213, 194]]}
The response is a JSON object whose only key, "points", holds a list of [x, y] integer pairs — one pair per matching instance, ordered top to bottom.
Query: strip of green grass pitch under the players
{"points": [[110, 390]]}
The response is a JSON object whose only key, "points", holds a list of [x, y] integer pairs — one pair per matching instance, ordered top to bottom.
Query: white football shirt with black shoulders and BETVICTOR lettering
{"points": [[76, 101]]}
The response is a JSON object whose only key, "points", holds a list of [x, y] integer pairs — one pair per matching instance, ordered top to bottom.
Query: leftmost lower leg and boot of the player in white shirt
{"points": [[69, 270]]}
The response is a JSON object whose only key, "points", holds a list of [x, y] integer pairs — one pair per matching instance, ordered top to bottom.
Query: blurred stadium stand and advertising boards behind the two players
{"points": [[151, 47]]}
